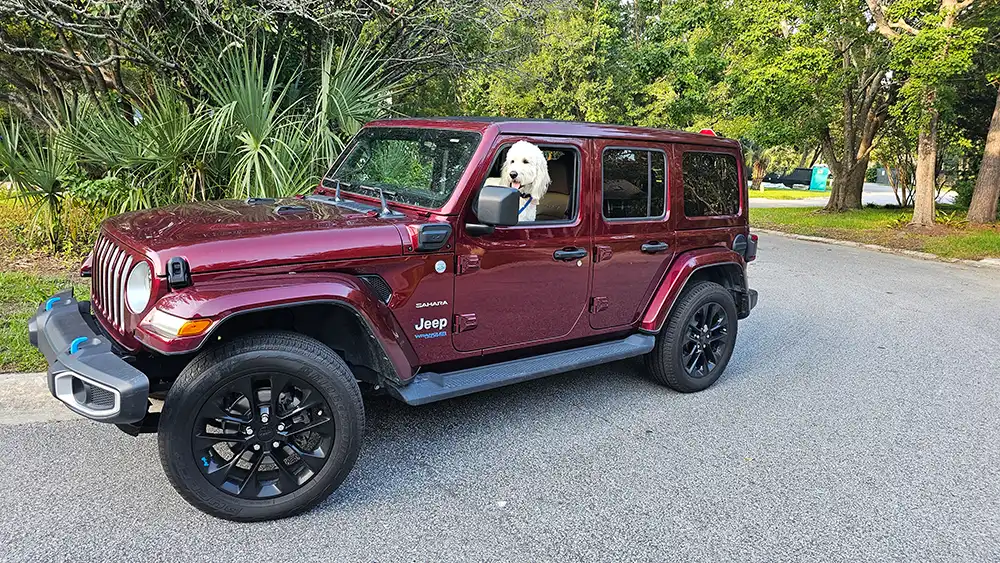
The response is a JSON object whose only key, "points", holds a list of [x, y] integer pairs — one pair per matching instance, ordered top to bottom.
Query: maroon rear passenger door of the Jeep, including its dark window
{"points": [[633, 242]]}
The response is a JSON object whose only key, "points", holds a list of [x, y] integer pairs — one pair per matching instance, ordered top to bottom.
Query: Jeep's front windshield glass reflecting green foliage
{"points": [[411, 165]]}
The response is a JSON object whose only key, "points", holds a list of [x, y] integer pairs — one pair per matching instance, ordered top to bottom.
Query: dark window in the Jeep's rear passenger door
{"points": [[634, 183]]}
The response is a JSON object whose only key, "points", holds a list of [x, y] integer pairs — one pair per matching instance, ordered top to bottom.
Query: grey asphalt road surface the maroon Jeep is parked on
{"points": [[857, 421]]}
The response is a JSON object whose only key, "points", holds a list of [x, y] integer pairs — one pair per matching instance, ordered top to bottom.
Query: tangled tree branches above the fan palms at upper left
{"points": [[51, 49]]}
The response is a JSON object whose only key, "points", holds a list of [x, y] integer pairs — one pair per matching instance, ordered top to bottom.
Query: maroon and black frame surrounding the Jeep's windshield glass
{"points": [[370, 193]]}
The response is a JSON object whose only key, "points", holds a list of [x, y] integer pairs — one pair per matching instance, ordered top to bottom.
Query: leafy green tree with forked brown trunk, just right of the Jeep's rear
{"points": [[813, 70]]}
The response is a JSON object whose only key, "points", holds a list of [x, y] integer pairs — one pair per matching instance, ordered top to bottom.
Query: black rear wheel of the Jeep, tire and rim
{"points": [[666, 362]]}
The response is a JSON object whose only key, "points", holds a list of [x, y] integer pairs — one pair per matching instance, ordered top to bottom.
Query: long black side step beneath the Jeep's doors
{"points": [[429, 387]]}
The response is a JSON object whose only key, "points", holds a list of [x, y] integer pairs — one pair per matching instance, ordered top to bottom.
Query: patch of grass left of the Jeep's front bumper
{"points": [[20, 294]]}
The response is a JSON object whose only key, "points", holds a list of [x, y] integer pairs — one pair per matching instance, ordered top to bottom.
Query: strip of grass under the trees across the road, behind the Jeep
{"points": [[886, 227]]}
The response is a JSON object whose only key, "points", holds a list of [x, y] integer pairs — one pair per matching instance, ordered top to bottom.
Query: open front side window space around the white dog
{"points": [[558, 204]]}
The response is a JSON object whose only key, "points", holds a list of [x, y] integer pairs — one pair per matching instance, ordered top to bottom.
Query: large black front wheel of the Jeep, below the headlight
{"points": [[318, 407]]}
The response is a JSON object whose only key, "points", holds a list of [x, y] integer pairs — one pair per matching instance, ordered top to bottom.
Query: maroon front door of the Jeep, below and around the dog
{"points": [[527, 283]]}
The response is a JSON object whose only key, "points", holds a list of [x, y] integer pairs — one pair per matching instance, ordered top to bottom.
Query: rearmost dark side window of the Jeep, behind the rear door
{"points": [[711, 184]]}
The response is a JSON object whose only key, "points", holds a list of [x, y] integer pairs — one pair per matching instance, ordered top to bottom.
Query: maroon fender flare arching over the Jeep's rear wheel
{"points": [[720, 265]]}
